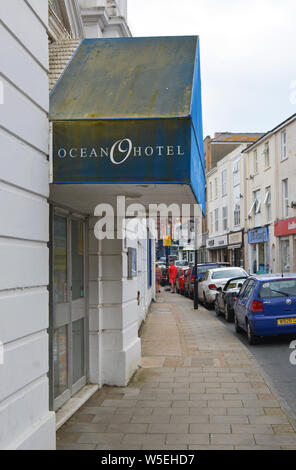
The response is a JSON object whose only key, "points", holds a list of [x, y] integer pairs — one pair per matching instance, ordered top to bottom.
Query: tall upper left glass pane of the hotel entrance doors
{"points": [[60, 259]]}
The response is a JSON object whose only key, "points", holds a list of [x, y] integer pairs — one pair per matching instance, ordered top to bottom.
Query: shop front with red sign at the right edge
{"points": [[285, 233]]}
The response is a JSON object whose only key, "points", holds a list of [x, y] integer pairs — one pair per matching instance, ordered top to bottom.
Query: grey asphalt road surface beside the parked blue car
{"points": [[273, 355]]}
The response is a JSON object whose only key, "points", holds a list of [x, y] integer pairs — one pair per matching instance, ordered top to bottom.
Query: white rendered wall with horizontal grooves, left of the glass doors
{"points": [[25, 420]]}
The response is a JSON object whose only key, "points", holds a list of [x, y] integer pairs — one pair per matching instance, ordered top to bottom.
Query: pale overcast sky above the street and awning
{"points": [[248, 56]]}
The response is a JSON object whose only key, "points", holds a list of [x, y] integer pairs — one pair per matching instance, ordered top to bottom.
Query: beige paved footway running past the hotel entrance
{"points": [[198, 388]]}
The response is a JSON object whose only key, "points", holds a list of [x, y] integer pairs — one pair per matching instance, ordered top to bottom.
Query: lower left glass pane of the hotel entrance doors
{"points": [[60, 361]]}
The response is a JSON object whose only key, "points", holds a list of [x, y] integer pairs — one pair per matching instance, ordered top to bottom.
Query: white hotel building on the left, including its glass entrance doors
{"points": [[70, 310]]}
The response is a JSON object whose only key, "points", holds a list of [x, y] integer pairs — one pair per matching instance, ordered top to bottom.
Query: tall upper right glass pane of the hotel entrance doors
{"points": [[77, 259]]}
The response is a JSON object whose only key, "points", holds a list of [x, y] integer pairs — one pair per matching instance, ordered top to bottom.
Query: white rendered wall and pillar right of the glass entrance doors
{"points": [[114, 313]]}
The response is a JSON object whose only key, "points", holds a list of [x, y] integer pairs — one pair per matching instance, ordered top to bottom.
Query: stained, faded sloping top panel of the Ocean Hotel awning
{"points": [[127, 78]]}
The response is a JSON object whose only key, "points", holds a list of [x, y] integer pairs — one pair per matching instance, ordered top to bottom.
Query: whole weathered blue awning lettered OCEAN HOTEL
{"points": [[128, 111]]}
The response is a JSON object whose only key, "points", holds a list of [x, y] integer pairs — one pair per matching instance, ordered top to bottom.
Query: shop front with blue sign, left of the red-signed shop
{"points": [[259, 251]]}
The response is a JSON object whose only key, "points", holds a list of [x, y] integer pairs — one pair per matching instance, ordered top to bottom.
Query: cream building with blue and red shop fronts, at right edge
{"points": [[270, 196]]}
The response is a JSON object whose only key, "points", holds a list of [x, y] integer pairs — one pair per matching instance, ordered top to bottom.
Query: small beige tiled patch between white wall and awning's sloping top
{"points": [[60, 53]]}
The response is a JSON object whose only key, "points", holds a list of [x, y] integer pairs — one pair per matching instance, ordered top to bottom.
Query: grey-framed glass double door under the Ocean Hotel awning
{"points": [[68, 308]]}
